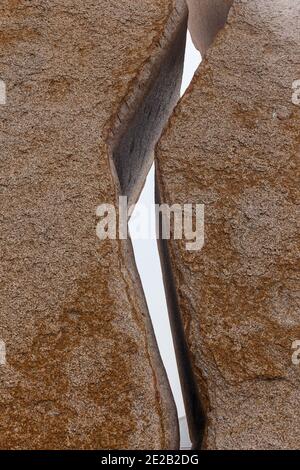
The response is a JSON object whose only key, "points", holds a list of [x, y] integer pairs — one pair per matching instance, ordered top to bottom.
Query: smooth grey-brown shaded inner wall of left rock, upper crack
{"points": [[133, 152]]}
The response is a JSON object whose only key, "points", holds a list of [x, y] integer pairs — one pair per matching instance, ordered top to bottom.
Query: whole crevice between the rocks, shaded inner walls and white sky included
{"points": [[138, 126]]}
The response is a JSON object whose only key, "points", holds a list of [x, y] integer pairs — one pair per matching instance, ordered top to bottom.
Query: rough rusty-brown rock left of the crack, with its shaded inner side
{"points": [[82, 365]]}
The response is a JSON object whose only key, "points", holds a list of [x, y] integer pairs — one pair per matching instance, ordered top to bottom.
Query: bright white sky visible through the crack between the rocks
{"points": [[149, 267]]}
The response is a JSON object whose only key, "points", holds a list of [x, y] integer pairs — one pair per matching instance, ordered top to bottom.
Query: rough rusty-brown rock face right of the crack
{"points": [[233, 145]]}
